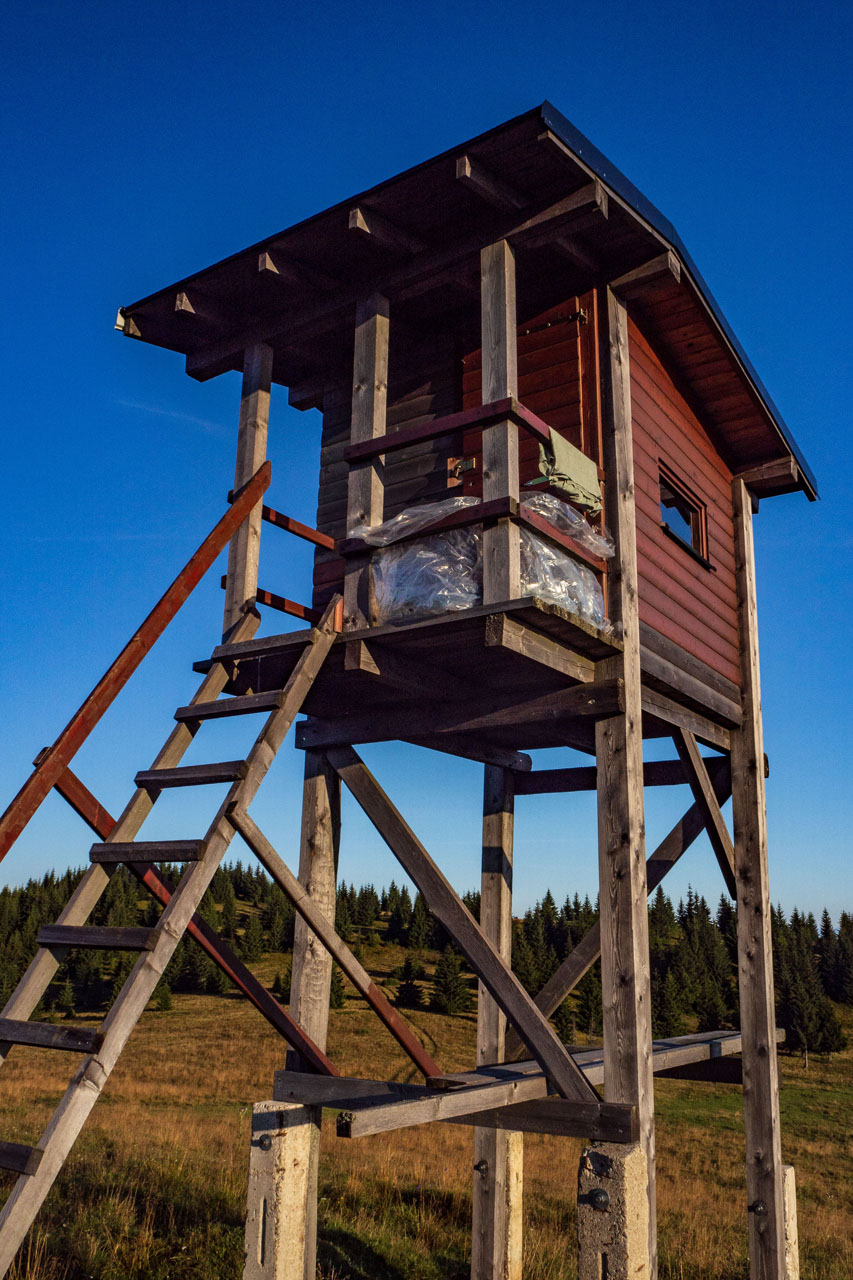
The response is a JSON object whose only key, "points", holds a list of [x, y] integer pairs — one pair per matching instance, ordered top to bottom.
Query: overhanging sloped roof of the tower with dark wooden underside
{"points": [[574, 220]]}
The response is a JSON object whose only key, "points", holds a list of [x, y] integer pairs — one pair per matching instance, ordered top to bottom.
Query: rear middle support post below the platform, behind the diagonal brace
{"points": [[499, 1154]]}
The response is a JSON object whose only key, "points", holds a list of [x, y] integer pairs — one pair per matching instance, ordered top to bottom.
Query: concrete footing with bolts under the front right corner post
{"points": [[613, 1214]]}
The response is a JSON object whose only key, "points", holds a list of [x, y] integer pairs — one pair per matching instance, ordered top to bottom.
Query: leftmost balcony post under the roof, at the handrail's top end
{"points": [[244, 551]]}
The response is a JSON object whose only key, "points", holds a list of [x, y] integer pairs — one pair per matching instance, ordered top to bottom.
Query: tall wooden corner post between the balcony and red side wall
{"points": [[619, 758]]}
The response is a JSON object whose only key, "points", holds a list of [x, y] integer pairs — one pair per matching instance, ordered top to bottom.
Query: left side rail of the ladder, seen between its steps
{"points": [[88, 894]]}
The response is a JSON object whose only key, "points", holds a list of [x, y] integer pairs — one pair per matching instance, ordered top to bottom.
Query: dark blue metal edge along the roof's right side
{"points": [[613, 177]]}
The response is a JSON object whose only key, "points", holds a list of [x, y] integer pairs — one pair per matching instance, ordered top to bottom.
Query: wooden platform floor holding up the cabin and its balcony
{"points": [[507, 678]]}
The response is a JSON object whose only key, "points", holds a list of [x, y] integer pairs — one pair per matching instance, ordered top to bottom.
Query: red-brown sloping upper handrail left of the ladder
{"points": [[54, 761]]}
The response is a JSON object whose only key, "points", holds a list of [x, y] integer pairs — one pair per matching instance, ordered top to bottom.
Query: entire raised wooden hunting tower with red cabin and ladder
{"points": [[512, 319]]}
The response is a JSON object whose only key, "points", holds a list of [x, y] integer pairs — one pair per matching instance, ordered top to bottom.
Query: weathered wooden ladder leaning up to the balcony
{"points": [[38, 1167]]}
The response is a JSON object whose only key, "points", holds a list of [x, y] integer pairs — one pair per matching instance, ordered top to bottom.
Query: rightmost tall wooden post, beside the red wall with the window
{"points": [[755, 950]]}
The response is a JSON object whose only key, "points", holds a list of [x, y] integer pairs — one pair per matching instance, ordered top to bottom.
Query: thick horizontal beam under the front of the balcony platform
{"points": [[592, 702]]}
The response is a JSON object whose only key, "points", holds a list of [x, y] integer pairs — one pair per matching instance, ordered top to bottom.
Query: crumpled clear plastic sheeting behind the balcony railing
{"points": [[443, 573]]}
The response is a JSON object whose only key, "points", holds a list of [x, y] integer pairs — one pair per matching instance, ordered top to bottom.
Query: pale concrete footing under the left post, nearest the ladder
{"points": [[279, 1173]]}
